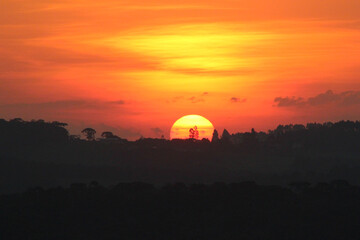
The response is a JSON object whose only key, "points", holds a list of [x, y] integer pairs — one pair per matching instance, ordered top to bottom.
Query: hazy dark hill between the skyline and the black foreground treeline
{"points": [[39, 153]]}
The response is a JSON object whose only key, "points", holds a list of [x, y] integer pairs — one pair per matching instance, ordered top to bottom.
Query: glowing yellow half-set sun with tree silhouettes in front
{"points": [[192, 126]]}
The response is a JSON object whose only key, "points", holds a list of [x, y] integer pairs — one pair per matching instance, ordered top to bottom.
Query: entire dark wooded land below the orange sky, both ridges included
{"points": [[293, 182]]}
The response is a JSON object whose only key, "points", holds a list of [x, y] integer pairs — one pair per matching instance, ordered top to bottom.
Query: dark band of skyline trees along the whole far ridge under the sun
{"points": [[343, 135]]}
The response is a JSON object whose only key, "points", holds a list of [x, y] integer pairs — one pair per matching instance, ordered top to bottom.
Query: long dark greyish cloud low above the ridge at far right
{"points": [[347, 98]]}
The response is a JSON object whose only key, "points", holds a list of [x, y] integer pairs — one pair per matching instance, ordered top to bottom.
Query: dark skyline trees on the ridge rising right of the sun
{"points": [[342, 136]]}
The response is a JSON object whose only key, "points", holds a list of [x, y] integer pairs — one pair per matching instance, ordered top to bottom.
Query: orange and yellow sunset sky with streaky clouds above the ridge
{"points": [[135, 67]]}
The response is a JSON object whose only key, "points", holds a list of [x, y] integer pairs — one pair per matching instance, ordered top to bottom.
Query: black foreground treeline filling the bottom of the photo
{"points": [[242, 210]]}
